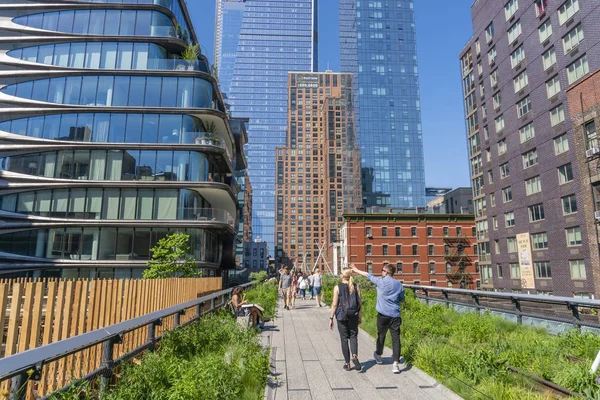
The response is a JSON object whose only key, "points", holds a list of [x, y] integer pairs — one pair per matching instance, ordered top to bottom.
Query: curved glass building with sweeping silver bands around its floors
{"points": [[109, 140]]}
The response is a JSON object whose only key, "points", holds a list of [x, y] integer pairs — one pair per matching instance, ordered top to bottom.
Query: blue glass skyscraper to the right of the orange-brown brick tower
{"points": [[378, 45]]}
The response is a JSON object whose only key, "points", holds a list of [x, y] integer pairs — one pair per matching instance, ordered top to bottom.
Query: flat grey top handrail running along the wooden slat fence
{"points": [[20, 363]]}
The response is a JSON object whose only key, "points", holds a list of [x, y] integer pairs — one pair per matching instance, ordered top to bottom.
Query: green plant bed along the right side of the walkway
{"points": [[469, 352]]}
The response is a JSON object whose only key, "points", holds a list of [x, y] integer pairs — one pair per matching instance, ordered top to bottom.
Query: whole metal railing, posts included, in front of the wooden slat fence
{"points": [[29, 370]]}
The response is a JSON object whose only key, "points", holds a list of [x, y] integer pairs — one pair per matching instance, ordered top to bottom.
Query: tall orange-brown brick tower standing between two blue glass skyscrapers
{"points": [[318, 172]]}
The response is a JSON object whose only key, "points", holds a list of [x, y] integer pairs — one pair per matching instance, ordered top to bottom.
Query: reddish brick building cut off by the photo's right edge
{"points": [[584, 101]]}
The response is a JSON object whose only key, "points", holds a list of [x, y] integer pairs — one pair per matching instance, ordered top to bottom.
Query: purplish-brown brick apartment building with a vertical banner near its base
{"points": [[525, 172]]}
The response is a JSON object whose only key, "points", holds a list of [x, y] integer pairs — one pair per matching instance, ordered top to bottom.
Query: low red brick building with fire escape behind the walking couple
{"points": [[427, 249]]}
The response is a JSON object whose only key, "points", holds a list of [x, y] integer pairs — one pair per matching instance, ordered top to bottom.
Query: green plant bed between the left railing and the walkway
{"points": [[212, 359]]}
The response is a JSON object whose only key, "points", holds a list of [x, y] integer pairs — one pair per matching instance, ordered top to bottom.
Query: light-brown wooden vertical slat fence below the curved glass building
{"points": [[38, 312]]}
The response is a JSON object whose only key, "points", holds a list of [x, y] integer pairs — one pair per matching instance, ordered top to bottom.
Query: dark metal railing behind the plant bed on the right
{"points": [[557, 314]]}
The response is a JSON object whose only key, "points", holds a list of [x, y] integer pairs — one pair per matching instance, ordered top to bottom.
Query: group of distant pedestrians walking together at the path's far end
{"points": [[294, 284]]}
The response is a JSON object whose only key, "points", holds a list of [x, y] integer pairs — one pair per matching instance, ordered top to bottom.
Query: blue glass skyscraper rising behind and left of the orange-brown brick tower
{"points": [[263, 40]]}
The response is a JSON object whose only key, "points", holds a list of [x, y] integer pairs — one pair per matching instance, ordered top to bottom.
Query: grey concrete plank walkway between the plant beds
{"points": [[308, 362]]}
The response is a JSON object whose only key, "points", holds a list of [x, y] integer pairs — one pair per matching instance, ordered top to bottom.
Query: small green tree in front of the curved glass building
{"points": [[170, 259]]}
